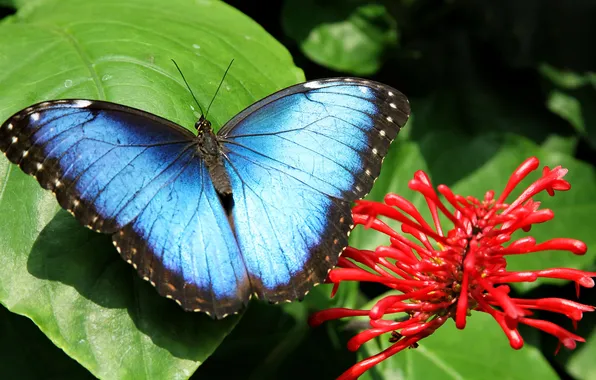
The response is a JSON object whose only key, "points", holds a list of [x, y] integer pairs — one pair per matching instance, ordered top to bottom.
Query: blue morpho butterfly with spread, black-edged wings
{"points": [[260, 208]]}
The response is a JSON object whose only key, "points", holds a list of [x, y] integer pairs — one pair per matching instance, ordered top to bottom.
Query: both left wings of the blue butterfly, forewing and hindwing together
{"points": [[139, 177]]}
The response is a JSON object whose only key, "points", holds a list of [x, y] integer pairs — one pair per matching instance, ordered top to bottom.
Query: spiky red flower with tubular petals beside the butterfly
{"points": [[446, 275]]}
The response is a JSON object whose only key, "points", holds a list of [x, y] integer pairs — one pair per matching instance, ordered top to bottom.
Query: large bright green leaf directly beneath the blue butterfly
{"points": [[68, 280]]}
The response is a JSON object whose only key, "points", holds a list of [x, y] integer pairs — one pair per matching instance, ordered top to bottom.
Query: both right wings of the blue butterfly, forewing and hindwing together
{"points": [[297, 160]]}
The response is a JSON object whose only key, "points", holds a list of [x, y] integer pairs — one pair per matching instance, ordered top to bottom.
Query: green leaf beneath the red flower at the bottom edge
{"points": [[480, 351]]}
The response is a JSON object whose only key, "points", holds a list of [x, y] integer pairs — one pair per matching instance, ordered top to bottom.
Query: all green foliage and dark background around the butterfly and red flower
{"points": [[490, 84]]}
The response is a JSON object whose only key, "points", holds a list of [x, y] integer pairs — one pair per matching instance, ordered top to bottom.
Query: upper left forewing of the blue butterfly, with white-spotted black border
{"points": [[89, 153]]}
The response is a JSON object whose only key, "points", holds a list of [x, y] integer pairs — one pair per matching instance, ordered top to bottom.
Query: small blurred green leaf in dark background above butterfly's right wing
{"points": [[350, 36]]}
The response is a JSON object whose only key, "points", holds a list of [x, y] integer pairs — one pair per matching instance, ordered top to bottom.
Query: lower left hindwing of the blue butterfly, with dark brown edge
{"points": [[182, 243]]}
